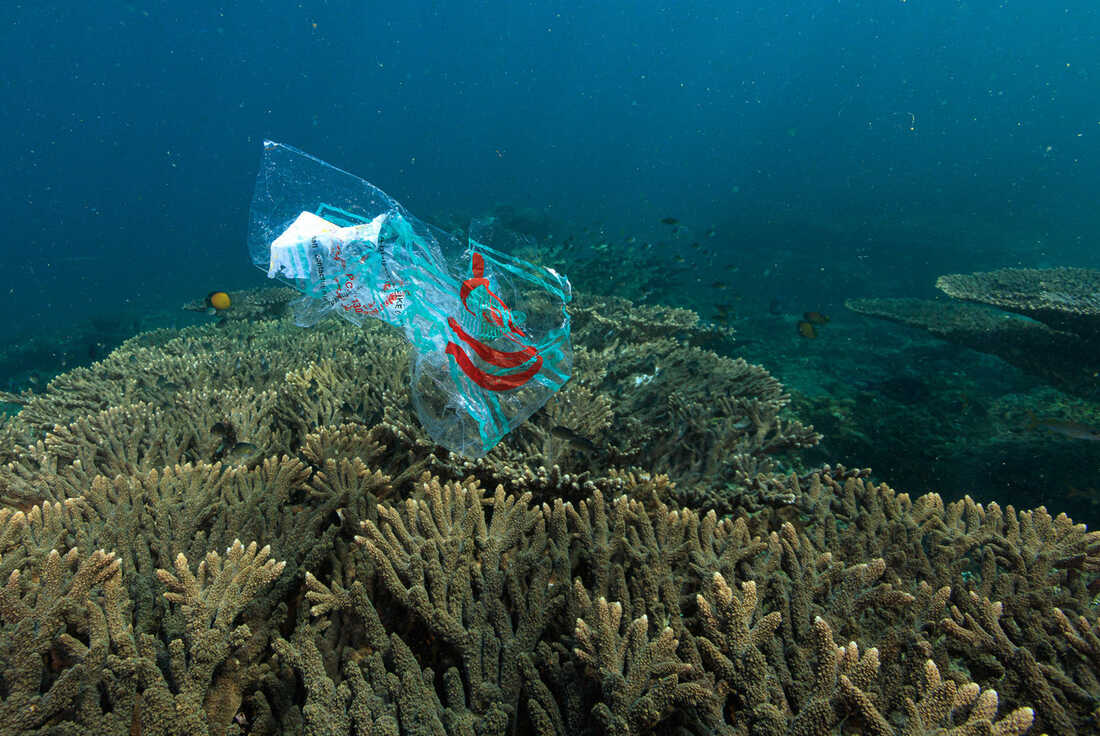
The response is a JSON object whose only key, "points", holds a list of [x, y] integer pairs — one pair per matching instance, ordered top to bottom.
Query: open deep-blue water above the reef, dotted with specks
{"points": [[950, 135]]}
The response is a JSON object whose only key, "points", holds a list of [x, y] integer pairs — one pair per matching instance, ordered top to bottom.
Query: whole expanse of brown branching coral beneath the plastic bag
{"points": [[344, 576]]}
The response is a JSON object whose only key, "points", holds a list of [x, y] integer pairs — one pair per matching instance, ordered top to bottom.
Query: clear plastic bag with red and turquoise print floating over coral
{"points": [[491, 332]]}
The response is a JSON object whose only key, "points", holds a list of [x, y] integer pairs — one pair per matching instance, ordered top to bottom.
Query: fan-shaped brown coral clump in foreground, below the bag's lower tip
{"points": [[491, 608]]}
